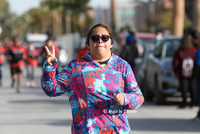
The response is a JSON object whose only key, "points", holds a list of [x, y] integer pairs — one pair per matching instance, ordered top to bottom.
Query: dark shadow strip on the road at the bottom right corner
{"points": [[168, 125]]}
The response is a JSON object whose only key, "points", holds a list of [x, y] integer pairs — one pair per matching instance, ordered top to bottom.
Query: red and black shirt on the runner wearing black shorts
{"points": [[17, 53]]}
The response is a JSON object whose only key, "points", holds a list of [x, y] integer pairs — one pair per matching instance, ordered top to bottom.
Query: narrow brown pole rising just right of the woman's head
{"points": [[113, 16]]}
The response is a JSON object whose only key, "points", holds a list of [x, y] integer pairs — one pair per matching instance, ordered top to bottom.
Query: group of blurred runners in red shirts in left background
{"points": [[22, 57]]}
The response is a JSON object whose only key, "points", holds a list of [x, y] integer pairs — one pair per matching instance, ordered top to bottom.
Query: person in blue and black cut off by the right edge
{"points": [[196, 78]]}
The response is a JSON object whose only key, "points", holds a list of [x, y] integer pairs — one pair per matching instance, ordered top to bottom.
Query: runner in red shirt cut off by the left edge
{"points": [[2, 60]]}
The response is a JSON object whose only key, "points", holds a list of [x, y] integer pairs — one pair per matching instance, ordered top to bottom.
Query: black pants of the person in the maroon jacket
{"points": [[187, 85]]}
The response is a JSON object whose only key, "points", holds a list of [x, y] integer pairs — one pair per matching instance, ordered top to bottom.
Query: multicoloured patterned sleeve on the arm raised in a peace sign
{"points": [[55, 85]]}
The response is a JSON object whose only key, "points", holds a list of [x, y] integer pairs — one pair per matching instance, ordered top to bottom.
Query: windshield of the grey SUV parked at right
{"points": [[169, 47]]}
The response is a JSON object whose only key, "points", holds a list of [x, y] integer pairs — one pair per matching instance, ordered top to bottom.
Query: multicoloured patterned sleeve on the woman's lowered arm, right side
{"points": [[133, 97]]}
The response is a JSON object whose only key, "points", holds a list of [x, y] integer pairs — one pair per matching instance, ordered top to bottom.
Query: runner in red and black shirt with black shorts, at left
{"points": [[16, 54]]}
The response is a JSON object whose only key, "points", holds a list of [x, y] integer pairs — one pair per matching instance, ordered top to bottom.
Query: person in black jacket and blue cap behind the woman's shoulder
{"points": [[130, 51]]}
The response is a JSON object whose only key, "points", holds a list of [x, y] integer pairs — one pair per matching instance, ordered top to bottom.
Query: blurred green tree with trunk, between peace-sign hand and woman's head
{"points": [[69, 10]]}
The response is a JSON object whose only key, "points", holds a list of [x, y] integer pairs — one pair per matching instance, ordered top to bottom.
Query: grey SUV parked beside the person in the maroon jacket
{"points": [[160, 81]]}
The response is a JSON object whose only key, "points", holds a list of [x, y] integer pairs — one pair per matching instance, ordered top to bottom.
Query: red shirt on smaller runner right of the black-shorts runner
{"points": [[32, 57]]}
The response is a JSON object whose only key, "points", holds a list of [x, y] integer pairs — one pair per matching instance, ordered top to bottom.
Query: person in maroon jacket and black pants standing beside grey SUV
{"points": [[185, 51]]}
